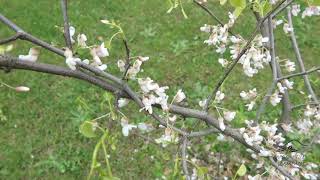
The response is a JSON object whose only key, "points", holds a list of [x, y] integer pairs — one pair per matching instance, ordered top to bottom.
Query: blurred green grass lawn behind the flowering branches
{"points": [[40, 138]]}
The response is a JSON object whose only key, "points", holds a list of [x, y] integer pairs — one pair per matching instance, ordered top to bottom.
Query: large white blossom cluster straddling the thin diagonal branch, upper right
{"points": [[255, 57]]}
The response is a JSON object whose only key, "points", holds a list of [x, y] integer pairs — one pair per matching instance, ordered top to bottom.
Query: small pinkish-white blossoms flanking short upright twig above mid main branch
{"points": [[134, 69]]}
